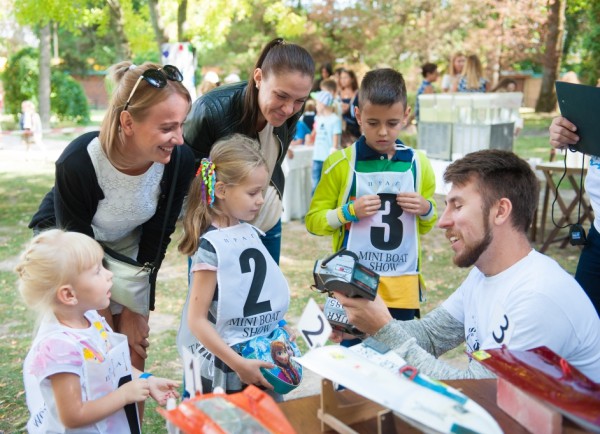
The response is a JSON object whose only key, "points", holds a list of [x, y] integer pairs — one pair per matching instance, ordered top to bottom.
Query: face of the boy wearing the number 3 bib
{"points": [[381, 125]]}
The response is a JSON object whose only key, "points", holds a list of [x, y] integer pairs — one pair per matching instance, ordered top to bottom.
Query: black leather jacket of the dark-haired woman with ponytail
{"points": [[217, 114]]}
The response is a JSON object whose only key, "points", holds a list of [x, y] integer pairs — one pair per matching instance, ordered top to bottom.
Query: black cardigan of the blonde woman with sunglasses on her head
{"points": [[73, 201]]}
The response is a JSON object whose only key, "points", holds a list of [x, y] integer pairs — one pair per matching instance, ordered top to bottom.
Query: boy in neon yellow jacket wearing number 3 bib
{"points": [[376, 197]]}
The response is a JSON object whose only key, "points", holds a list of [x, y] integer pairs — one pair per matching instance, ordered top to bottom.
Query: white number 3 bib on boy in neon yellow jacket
{"points": [[386, 242]]}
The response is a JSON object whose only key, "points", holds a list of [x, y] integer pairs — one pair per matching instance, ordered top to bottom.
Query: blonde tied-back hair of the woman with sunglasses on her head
{"points": [[124, 76]]}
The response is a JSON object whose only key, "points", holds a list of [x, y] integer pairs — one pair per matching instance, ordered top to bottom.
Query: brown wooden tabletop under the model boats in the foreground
{"points": [[302, 412]]}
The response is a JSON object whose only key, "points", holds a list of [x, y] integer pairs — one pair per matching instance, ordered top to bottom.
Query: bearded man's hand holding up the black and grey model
{"points": [[367, 316]]}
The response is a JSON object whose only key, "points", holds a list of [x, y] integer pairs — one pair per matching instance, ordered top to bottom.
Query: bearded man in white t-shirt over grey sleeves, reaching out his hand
{"points": [[513, 296]]}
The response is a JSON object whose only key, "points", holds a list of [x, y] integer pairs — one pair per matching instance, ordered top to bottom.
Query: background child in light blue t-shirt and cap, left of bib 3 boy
{"points": [[327, 133]]}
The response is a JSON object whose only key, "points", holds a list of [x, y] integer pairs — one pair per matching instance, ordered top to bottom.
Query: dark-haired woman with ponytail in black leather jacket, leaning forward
{"points": [[267, 108]]}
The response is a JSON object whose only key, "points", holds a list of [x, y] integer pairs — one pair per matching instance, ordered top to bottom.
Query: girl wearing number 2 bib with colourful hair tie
{"points": [[228, 303]]}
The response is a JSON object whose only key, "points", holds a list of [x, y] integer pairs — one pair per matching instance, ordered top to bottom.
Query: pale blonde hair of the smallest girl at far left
{"points": [[52, 259]]}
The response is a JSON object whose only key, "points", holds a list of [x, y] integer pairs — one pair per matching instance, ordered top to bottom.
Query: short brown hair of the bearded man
{"points": [[499, 174]]}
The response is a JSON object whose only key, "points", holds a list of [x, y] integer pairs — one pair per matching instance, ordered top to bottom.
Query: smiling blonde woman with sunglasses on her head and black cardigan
{"points": [[114, 185]]}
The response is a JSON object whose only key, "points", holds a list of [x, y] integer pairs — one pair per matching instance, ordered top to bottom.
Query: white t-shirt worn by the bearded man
{"points": [[533, 303]]}
